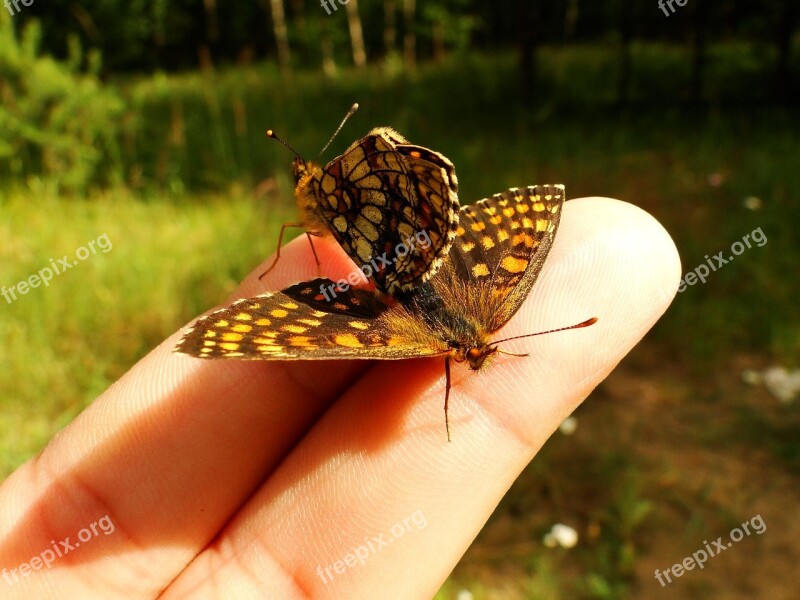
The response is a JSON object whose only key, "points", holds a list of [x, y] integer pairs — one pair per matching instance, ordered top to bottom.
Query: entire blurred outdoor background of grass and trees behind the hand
{"points": [[138, 126]]}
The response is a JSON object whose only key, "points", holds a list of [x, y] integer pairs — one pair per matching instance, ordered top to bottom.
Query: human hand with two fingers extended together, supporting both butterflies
{"points": [[230, 479]]}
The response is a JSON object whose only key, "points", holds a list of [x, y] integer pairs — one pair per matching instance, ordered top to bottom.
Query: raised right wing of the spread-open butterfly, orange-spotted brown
{"points": [[500, 248]]}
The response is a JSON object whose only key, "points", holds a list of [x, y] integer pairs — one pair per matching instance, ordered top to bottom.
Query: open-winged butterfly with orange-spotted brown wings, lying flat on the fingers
{"points": [[501, 245]]}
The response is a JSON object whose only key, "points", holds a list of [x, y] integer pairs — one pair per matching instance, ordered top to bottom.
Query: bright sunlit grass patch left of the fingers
{"points": [[65, 343]]}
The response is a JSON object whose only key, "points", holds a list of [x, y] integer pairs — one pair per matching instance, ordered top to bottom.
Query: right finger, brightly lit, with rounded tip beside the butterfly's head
{"points": [[376, 499]]}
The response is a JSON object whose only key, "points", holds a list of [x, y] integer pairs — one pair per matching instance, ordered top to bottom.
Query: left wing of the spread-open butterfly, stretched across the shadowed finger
{"points": [[309, 320]]}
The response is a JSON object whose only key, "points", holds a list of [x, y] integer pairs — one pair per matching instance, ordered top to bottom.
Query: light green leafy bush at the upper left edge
{"points": [[58, 123]]}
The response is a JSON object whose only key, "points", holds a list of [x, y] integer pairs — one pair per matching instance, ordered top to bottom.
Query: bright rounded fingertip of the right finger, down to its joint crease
{"points": [[612, 262]]}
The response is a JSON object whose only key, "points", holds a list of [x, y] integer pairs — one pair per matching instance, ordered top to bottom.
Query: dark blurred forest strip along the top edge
{"points": [[143, 35]]}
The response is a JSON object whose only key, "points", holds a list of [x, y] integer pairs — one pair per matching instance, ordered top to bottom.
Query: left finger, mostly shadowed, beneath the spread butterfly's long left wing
{"points": [[166, 455]]}
